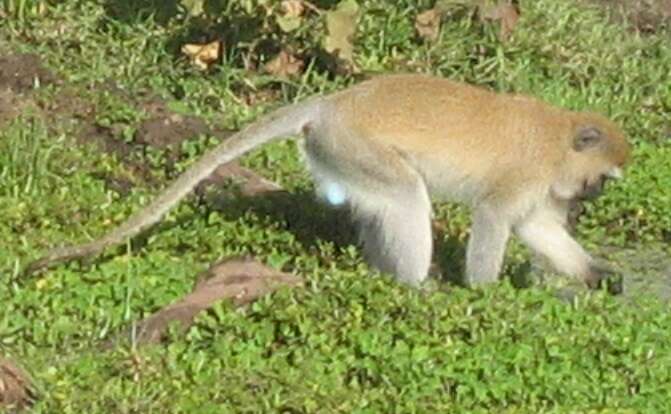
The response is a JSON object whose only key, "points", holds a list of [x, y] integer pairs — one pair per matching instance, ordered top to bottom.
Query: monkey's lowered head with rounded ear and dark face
{"points": [[597, 151]]}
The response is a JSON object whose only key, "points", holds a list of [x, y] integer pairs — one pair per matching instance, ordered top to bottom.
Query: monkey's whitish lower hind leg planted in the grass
{"points": [[396, 232]]}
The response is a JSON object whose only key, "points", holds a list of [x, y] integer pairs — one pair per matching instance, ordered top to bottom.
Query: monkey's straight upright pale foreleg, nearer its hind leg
{"points": [[486, 246]]}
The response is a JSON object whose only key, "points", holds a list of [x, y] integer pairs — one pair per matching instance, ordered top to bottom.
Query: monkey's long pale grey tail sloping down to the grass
{"points": [[283, 122]]}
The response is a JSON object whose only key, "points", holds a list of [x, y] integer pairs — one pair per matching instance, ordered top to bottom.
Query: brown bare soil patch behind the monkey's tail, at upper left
{"points": [[20, 74]]}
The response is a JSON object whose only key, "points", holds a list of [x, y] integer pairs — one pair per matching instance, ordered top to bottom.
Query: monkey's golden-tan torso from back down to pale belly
{"points": [[473, 133]]}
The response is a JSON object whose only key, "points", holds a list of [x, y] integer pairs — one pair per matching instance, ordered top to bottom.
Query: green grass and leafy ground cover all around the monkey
{"points": [[352, 340]]}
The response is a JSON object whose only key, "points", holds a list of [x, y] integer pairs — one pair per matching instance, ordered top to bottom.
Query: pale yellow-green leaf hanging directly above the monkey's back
{"points": [[341, 27]]}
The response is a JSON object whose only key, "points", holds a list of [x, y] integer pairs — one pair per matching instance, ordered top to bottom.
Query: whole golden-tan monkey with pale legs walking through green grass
{"points": [[383, 146]]}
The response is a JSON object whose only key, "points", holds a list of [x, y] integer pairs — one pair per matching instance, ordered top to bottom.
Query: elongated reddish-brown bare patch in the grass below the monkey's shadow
{"points": [[242, 280]]}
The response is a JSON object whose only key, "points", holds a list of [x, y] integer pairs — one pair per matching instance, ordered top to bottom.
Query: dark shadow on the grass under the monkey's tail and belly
{"points": [[311, 220]]}
